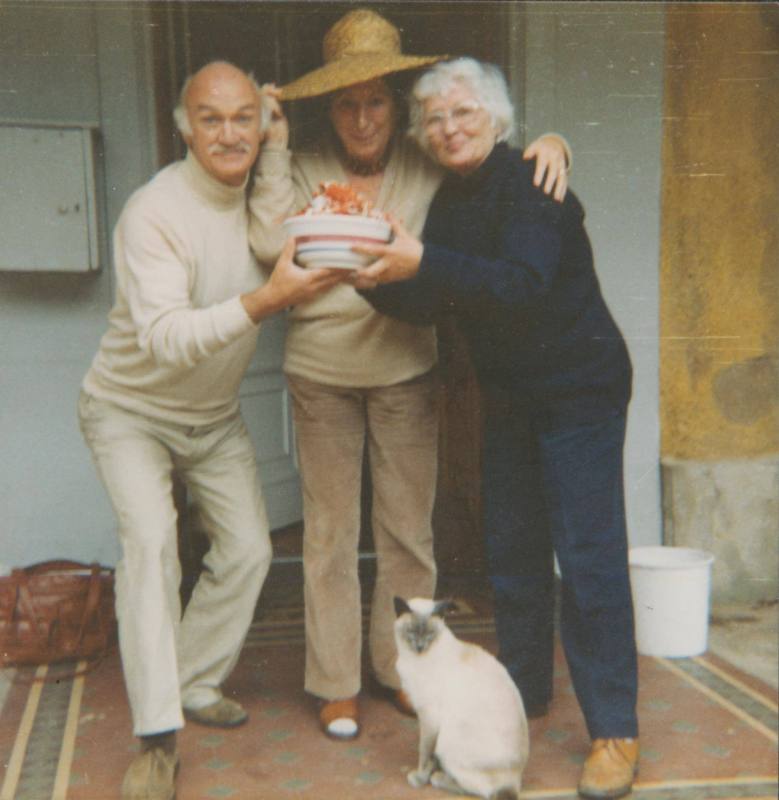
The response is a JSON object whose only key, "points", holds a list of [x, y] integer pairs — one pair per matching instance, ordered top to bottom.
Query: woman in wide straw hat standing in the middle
{"points": [[356, 375]]}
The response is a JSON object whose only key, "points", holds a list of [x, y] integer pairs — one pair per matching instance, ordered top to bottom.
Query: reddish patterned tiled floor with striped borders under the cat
{"points": [[707, 731]]}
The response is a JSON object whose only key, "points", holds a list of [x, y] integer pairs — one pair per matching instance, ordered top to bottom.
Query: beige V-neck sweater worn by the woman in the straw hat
{"points": [[339, 339]]}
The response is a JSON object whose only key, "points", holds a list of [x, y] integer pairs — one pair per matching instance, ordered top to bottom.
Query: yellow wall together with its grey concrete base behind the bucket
{"points": [[720, 287]]}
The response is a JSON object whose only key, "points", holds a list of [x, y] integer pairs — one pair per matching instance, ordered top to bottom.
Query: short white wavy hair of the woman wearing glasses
{"points": [[486, 82]]}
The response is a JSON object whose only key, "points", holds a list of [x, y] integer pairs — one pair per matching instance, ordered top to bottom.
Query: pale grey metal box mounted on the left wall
{"points": [[48, 207]]}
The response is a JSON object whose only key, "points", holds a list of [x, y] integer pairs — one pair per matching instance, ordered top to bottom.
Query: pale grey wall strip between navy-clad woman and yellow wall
{"points": [[594, 72]]}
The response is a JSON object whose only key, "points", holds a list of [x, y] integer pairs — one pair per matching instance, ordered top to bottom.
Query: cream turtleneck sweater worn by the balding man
{"points": [[179, 340]]}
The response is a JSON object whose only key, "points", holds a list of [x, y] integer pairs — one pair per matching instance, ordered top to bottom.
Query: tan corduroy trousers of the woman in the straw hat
{"points": [[399, 426]]}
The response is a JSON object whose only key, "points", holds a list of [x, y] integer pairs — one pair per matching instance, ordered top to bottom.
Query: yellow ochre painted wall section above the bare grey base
{"points": [[720, 268]]}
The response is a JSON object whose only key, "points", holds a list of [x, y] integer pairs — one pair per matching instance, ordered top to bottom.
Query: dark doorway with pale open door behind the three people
{"points": [[278, 42]]}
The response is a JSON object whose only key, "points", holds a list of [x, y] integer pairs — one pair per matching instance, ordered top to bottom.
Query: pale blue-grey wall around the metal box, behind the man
{"points": [[64, 63]]}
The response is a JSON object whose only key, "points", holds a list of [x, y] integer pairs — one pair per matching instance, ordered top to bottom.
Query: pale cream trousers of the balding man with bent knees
{"points": [[169, 661]]}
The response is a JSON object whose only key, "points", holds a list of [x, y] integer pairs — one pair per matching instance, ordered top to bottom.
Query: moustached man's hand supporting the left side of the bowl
{"points": [[289, 285]]}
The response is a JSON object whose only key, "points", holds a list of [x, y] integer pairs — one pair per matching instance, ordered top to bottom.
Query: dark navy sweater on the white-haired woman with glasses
{"points": [[516, 269]]}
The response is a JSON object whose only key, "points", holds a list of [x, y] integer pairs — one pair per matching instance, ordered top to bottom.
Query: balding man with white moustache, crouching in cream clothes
{"points": [[162, 396]]}
